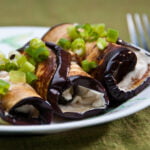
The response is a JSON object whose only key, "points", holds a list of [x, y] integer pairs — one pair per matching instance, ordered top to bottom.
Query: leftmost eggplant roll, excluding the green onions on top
{"points": [[21, 105]]}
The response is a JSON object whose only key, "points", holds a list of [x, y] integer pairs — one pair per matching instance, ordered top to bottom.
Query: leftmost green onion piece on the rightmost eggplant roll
{"points": [[64, 43]]}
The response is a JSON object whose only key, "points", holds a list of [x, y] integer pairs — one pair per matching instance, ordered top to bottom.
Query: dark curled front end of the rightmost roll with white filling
{"points": [[124, 71]]}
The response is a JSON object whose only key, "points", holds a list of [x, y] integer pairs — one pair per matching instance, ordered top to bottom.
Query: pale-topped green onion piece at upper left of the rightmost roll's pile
{"points": [[73, 32]]}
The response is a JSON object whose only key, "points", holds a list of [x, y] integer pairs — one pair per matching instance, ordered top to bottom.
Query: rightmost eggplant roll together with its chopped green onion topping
{"points": [[121, 68]]}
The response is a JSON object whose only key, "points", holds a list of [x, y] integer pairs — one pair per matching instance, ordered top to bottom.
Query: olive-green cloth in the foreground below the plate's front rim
{"points": [[130, 133]]}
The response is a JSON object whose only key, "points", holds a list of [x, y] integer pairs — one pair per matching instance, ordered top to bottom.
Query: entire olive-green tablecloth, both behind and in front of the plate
{"points": [[129, 133]]}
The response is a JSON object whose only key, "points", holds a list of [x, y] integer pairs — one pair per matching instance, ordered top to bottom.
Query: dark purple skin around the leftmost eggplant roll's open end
{"points": [[15, 118]]}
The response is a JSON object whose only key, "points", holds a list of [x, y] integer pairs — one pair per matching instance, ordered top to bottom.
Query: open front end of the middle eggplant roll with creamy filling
{"points": [[82, 96]]}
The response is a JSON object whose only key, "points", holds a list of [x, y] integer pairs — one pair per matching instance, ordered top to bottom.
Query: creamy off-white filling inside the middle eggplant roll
{"points": [[84, 100]]}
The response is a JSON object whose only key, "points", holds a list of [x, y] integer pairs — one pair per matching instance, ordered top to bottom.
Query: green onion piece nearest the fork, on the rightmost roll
{"points": [[112, 35]]}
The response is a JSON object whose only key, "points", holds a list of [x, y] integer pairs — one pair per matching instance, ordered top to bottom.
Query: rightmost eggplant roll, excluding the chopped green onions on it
{"points": [[123, 69]]}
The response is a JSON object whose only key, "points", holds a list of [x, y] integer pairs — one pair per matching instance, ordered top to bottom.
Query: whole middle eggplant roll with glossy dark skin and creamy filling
{"points": [[71, 91]]}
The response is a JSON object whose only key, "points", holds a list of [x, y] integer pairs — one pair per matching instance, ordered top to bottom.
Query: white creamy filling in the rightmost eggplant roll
{"points": [[141, 68]]}
